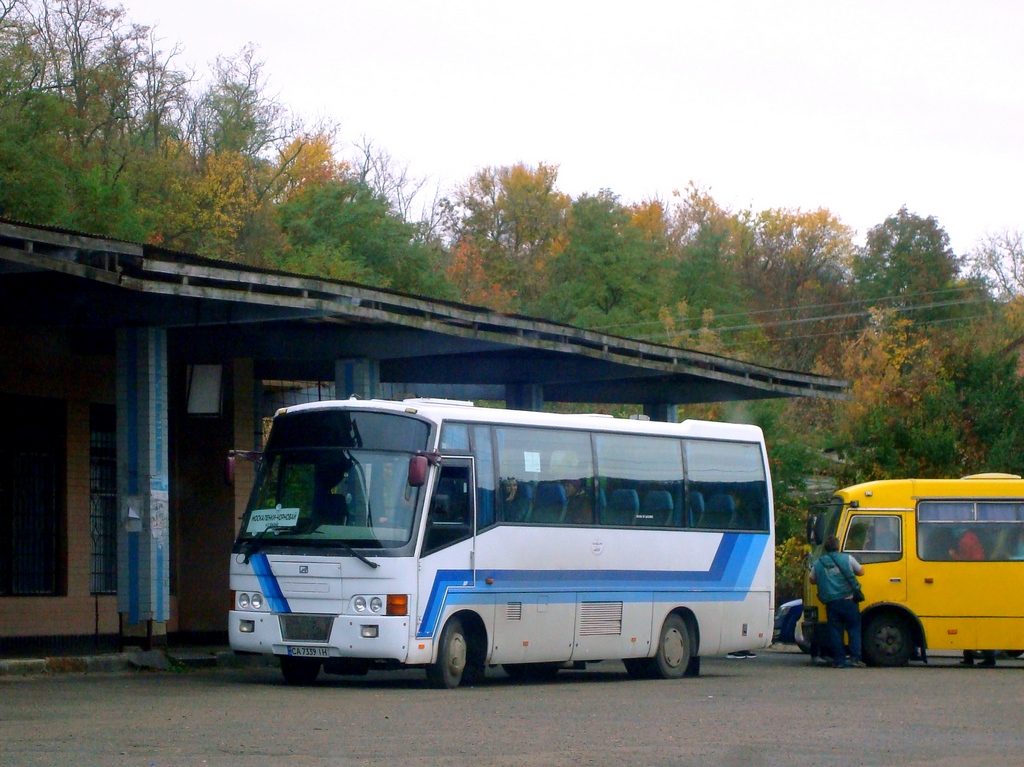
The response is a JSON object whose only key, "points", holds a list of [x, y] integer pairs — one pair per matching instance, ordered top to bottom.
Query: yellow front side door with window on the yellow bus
{"points": [[878, 541]]}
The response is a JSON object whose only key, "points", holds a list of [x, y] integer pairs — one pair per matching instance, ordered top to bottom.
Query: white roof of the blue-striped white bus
{"points": [[440, 411]]}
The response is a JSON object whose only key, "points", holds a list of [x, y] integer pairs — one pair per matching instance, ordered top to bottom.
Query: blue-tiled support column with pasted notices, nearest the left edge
{"points": [[144, 542]]}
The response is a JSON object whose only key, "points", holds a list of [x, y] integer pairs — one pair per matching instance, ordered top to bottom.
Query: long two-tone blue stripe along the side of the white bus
{"points": [[729, 579]]}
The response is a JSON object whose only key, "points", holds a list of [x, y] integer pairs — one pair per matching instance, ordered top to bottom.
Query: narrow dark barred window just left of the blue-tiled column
{"points": [[104, 499]]}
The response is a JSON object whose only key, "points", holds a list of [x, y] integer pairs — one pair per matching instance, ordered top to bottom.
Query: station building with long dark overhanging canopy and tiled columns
{"points": [[129, 373]]}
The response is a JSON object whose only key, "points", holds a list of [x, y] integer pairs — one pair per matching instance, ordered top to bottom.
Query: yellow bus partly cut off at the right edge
{"points": [[944, 566]]}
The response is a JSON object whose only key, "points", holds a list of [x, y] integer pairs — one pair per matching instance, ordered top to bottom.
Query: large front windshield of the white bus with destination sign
{"points": [[351, 490]]}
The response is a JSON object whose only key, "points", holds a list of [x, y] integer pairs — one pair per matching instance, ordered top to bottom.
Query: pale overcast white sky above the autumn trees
{"points": [[861, 108]]}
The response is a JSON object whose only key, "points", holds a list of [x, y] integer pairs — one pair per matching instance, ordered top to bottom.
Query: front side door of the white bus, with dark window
{"points": [[448, 558]]}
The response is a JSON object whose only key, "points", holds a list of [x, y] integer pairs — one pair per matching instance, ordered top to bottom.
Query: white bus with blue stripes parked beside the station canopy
{"points": [[439, 535]]}
